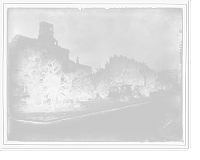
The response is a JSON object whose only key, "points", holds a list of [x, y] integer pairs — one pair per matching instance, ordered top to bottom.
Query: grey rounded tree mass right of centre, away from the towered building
{"points": [[122, 70]]}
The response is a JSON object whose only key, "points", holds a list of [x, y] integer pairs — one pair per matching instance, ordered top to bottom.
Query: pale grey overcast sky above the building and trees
{"points": [[94, 35]]}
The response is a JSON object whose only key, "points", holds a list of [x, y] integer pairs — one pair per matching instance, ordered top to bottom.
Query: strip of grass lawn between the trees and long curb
{"points": [[20, 109]]}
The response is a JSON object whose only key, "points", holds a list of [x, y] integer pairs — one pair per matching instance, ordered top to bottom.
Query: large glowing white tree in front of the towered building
{"points": [[40, 75]]}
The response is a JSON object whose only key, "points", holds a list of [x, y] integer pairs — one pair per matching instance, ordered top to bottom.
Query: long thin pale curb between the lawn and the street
{"points": [[86, 114]]}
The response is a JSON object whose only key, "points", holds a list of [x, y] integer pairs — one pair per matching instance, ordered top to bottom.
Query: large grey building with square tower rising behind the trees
{"points": [[47, 44]]}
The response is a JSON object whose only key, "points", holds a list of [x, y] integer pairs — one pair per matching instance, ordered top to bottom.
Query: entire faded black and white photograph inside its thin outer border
{"points": [[93, 74]]}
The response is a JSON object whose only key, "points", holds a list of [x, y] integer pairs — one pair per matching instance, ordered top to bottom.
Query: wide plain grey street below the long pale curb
{"points": [[138, 123]]}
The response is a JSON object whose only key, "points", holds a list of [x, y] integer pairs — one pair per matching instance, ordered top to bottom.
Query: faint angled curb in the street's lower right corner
{"points": [[164, 131]]}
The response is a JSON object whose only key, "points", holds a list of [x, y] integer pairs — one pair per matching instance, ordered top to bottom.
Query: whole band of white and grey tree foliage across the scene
{"points": [[48, 85]]}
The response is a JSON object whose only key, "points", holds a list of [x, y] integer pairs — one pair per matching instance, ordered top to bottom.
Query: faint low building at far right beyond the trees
{"points": [[171, 78]]}
